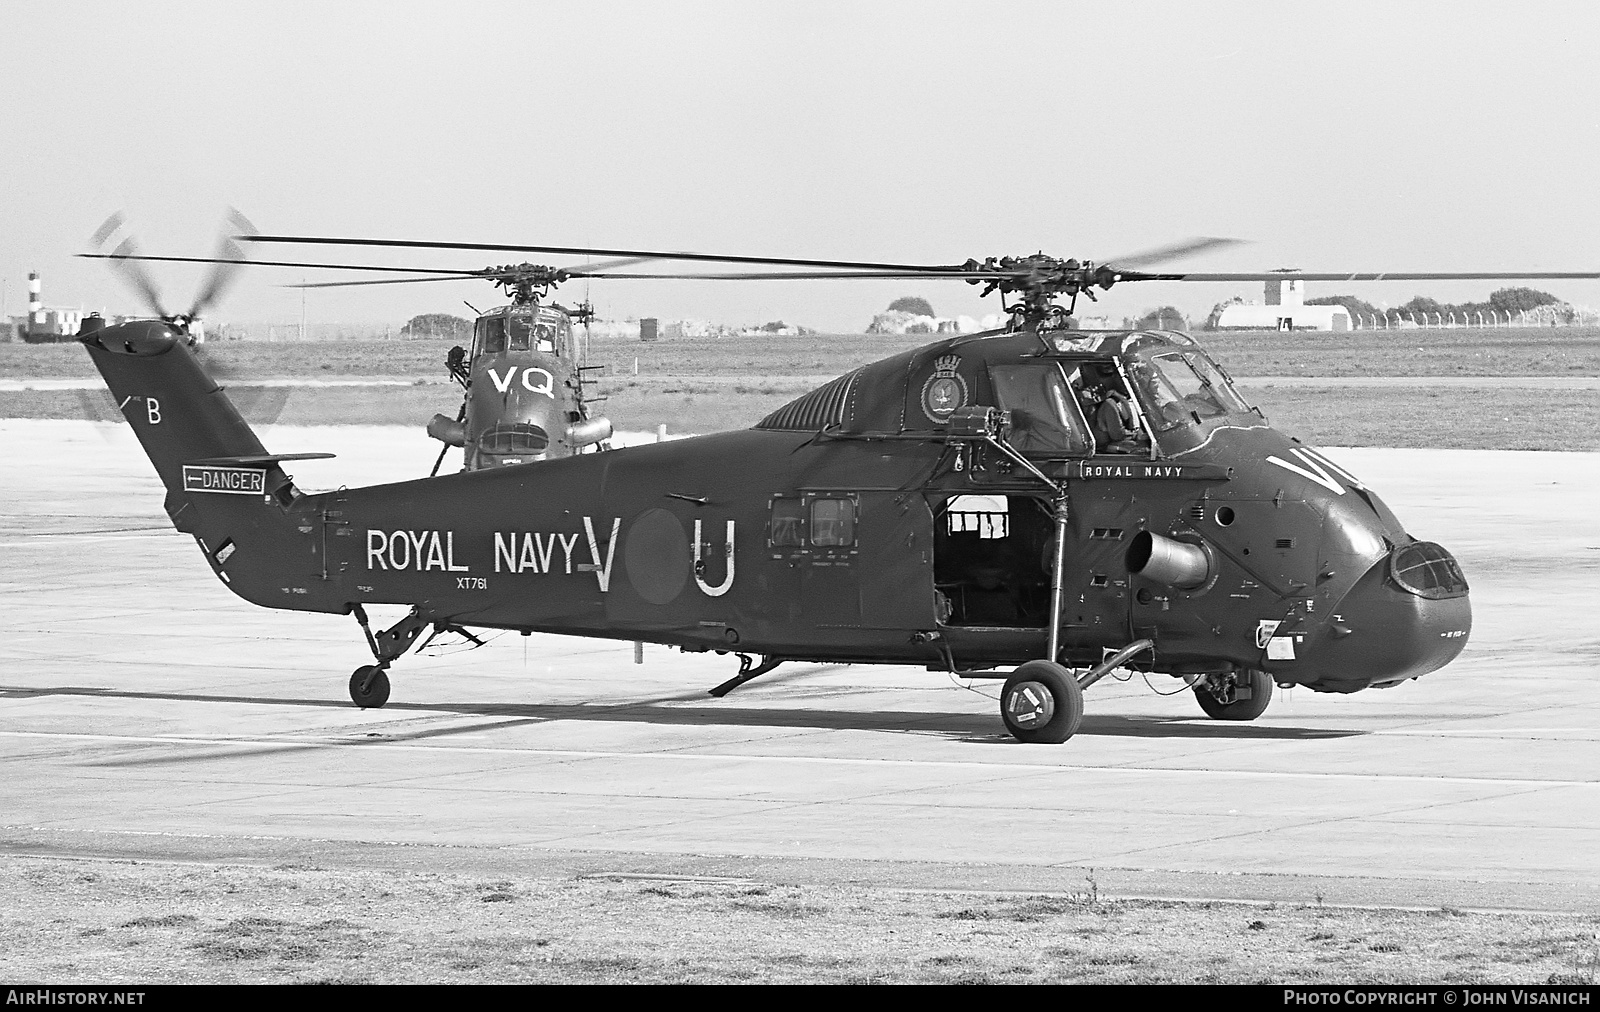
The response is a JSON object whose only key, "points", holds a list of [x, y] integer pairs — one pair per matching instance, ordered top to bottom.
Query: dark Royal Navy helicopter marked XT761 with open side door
{"points": [[966, 507]]}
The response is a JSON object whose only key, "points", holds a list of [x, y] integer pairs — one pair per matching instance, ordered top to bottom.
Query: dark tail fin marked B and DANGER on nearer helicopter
{"points": [[222, 484]]}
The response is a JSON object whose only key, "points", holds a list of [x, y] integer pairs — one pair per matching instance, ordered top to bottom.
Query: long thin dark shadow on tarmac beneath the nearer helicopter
{"points": [[959, 726]]}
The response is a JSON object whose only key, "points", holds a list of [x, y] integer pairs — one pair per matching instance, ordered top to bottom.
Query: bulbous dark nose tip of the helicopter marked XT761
{"points": [[1406, 617]]}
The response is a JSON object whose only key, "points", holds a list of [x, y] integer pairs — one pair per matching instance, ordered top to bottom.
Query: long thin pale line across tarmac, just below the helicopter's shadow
{"points": [[564, 753]]}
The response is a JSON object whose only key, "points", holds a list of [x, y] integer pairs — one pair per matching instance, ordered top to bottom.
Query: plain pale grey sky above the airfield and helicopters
{"points": [[1350, 135]]}
